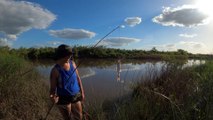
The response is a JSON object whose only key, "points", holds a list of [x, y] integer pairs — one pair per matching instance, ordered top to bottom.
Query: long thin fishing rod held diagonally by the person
{"points": [[119, 26]]}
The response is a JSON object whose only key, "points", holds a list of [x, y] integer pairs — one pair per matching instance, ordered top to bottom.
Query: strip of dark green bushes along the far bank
{"points": [[102, 52]]}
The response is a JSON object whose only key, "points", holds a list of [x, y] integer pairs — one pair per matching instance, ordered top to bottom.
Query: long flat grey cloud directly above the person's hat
{"points": [[72, 33]]}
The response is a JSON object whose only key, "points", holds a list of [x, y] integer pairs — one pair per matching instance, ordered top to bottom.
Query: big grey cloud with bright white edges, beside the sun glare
{"points": [[184, 16]]}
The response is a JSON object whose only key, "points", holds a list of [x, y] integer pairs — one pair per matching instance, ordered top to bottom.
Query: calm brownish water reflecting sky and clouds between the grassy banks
{"points": [[99, 77]]}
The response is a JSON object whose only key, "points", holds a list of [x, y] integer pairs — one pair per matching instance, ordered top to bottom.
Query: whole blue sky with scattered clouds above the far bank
{"points": [[167, 25]]}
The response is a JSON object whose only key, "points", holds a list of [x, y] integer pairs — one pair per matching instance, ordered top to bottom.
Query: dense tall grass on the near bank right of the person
{"points": [[175, 94]]}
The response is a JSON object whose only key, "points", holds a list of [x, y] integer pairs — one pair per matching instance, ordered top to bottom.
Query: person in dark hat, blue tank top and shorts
{"points": [[66, 89]]}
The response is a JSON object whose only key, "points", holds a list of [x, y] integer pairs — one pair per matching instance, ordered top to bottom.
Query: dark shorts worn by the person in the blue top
{"points": [[64, 100]]}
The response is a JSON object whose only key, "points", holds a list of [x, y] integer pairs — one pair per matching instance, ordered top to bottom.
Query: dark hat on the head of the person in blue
{"points": [[63, 51]]}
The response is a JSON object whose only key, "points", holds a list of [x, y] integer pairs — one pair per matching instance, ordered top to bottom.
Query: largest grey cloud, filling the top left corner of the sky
{"points": [[19, 16]]}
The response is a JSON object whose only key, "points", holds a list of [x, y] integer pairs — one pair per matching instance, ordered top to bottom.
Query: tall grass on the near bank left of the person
{"points": [[23, 93]]}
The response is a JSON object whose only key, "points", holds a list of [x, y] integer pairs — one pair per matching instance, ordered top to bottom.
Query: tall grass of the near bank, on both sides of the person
{"points": [[174, 94]]}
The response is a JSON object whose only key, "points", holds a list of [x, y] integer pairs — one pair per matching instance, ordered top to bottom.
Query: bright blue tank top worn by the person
{"points": [[67, 84]]}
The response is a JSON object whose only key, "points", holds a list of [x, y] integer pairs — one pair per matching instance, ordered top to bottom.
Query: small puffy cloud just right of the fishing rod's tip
{"points": [[133, 21]]}
